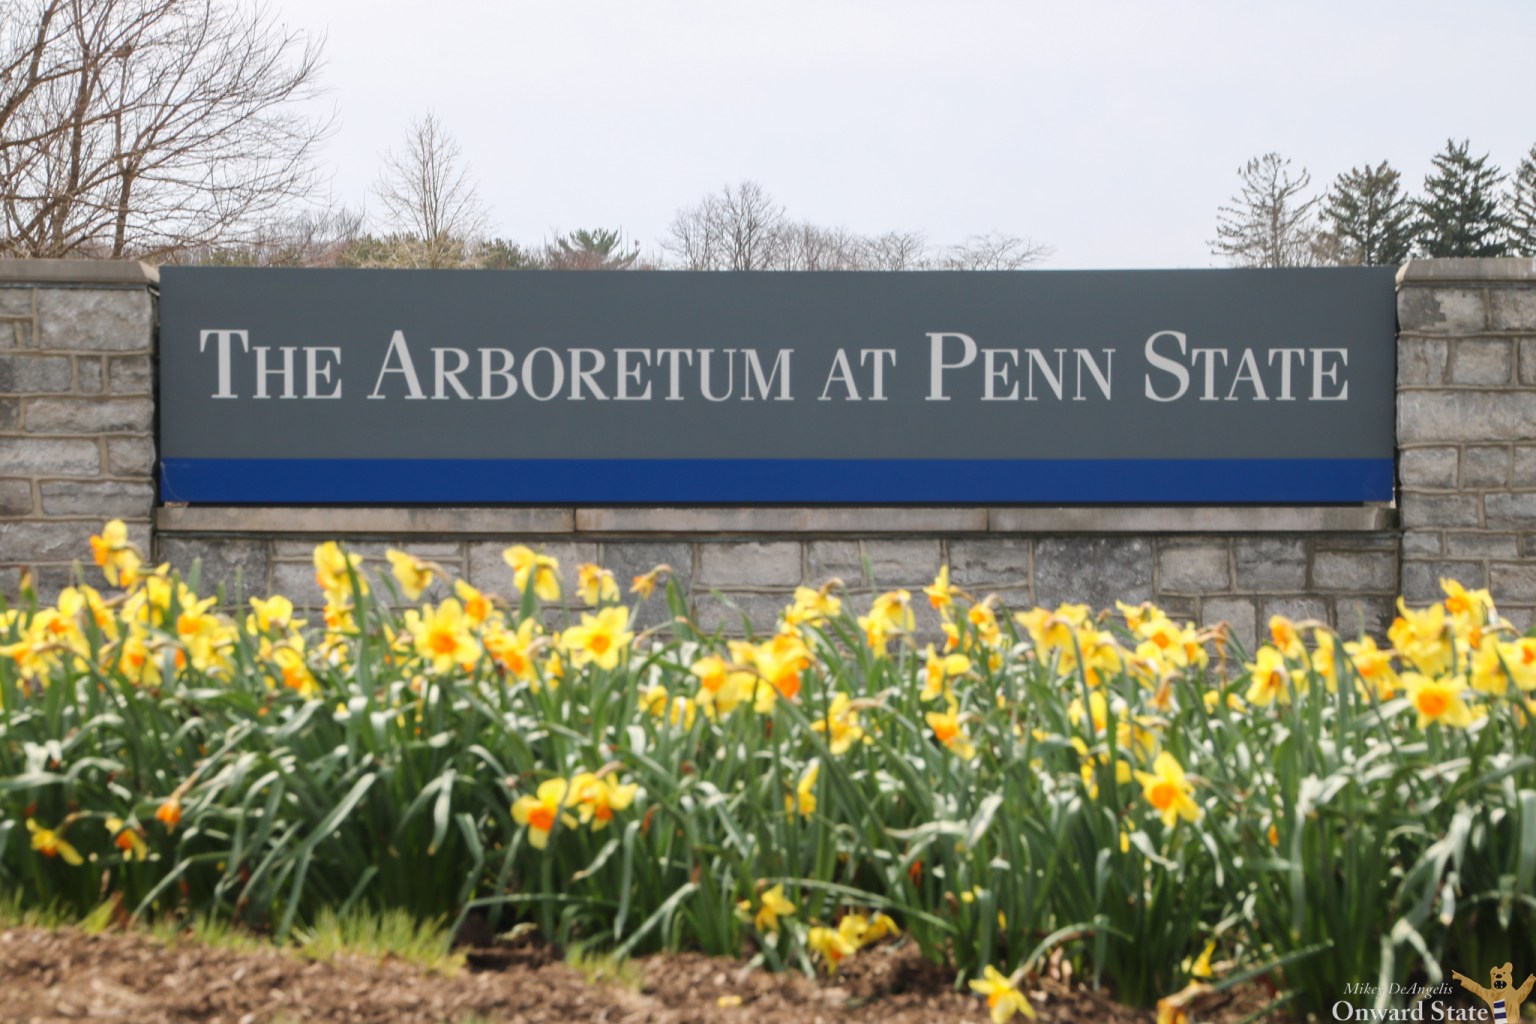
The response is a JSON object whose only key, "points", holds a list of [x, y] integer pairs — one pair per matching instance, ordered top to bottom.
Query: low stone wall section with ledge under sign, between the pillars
{"points": [[1208, 564]]}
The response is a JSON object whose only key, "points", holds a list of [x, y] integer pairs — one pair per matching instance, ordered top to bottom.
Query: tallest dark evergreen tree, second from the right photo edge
{"points": [[1460, 211]]}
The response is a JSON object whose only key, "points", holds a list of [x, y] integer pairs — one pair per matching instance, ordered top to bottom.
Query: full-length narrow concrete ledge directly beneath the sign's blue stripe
{"points": [[334, 523]]}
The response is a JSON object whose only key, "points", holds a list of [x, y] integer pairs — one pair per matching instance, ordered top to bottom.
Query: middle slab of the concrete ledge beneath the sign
{"points": [[862, 521]]}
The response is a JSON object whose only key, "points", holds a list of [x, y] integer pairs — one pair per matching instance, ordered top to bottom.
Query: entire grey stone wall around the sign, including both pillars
{"points": [[78, 448]]}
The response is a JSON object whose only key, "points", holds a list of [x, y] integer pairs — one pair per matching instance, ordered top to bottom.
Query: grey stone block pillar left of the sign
{"points": [[78, 412]]}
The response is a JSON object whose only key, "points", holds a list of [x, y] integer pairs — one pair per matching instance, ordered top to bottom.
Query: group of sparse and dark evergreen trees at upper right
{"points": [[1466, 208]]}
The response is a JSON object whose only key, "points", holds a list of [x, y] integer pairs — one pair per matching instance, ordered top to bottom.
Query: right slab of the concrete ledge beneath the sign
{"points": [[1233, 520]]}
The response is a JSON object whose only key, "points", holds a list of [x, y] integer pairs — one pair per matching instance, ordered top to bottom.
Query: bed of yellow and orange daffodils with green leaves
{"points": [[1124, 791]]}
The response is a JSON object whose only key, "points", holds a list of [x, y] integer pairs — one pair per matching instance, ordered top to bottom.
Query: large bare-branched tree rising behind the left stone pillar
{"points": [[150, 128]]}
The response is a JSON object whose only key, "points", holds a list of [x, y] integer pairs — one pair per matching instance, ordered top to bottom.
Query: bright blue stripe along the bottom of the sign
{"points": [[775, 481]]}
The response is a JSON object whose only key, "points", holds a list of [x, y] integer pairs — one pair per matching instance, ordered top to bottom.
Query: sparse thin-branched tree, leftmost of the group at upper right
{"points": [[1270, 222]]}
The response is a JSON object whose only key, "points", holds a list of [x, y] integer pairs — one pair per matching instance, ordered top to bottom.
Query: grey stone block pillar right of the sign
{"points": [[1468, 429]]}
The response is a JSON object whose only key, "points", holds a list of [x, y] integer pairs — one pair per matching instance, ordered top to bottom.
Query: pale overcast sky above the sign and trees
{"points": [[1108, 131]]}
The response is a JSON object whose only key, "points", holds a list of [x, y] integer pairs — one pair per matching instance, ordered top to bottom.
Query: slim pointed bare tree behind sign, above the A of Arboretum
{"points": [[434, 208]]}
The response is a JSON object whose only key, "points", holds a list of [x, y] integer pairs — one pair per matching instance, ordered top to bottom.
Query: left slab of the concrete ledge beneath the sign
{"points": [[334, 523]]}
